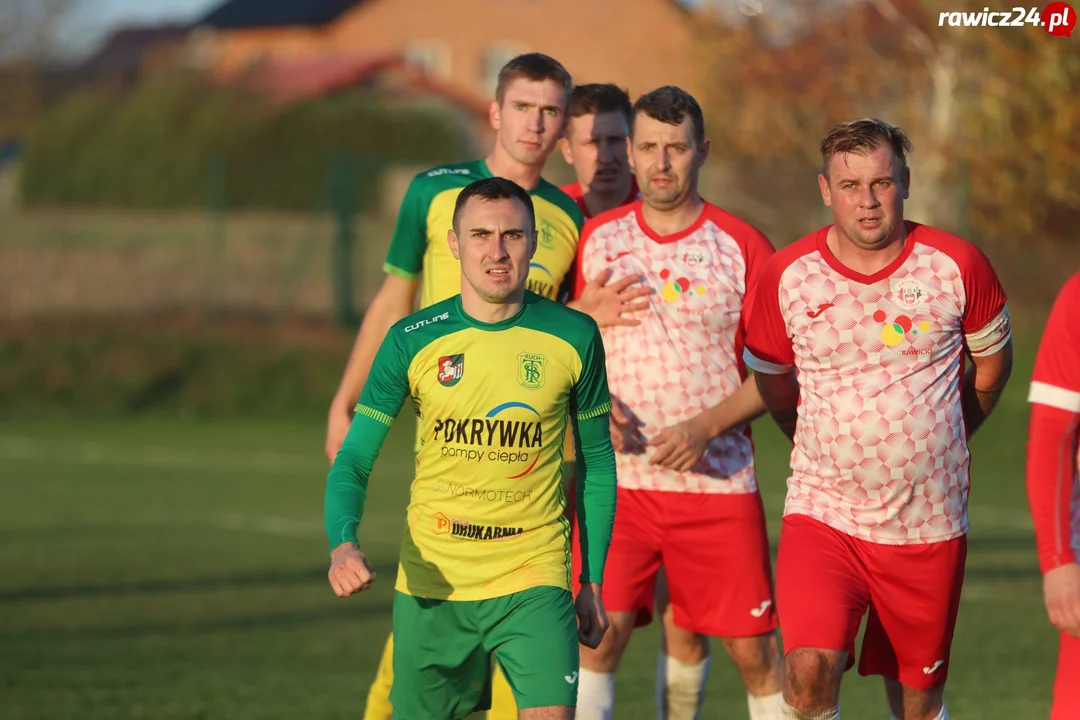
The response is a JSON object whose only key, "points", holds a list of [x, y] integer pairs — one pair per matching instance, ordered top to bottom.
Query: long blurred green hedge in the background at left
{"points": [[179, 143]]}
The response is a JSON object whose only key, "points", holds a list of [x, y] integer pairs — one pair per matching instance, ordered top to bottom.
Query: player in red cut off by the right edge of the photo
{"points": [[1054, 485]]}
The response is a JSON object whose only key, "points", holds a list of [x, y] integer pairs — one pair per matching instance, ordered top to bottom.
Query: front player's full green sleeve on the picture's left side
{"points": [[384, 395]]}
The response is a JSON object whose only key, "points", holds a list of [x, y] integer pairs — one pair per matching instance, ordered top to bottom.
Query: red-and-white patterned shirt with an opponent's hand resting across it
{"points": [[686, 356]]}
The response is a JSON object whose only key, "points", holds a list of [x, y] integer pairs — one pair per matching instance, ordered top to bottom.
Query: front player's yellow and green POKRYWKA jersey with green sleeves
{"points": [[495, 403]]}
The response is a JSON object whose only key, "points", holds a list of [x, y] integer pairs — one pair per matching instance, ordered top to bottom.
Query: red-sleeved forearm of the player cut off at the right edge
{"points": [[1054, 436]]}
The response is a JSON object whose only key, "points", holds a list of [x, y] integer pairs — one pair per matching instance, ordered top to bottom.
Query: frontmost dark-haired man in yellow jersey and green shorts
{"points": [[499, 376]]}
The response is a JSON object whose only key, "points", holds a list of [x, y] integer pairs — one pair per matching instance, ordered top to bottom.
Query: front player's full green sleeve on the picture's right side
{"points": [[591, 404]]}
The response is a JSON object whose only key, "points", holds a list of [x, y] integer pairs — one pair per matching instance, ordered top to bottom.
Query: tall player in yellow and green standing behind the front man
{"points": [[529, 115]]}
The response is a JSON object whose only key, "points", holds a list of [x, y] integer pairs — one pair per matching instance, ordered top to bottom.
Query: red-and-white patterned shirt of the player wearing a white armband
{"points": [[881, 446]]}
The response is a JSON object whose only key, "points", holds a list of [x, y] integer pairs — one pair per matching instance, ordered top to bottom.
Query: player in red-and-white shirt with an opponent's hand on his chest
{"points": [[688, 496]]}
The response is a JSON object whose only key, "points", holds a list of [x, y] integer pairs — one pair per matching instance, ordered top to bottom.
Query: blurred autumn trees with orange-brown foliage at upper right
{"points": [[992, 112]]}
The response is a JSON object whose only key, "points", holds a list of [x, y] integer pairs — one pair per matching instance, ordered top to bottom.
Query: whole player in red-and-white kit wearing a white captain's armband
{"points": [[860, 341]]}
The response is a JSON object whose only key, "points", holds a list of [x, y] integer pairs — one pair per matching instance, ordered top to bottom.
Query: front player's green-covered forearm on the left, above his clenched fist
{"points": [[347, 483]]}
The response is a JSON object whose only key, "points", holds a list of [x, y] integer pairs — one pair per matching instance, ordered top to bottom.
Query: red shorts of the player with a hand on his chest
{"points": [[715, 553]]}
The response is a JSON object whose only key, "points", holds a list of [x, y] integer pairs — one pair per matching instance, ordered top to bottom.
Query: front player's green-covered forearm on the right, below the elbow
{"points": [[597, 494]]}
